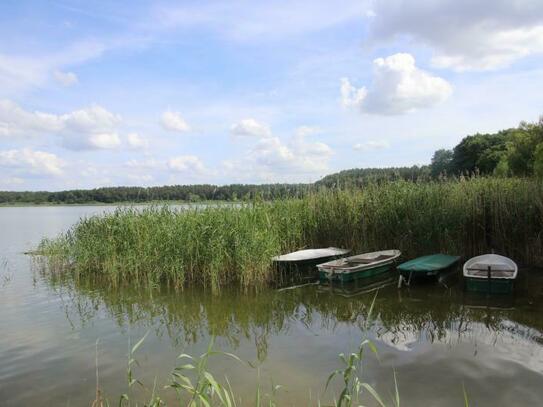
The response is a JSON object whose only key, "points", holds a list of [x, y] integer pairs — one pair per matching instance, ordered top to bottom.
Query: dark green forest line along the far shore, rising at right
{"points": [[515, 152]]}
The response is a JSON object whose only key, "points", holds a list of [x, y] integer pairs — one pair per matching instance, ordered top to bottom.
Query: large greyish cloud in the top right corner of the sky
{"points": [[465, 34]]}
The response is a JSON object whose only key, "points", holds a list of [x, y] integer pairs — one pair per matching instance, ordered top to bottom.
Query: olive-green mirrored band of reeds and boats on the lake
{"points": [[402, 318]]}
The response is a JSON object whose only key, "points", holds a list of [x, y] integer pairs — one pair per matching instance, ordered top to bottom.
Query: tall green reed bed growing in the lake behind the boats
{"points": [[218, 246]]}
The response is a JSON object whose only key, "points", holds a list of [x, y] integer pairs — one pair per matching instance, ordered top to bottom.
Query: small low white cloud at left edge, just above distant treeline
{"points": [[28, 161]]}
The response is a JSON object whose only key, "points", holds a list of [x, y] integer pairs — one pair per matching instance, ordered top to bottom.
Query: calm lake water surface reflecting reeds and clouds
{"points": [[435, 337]]}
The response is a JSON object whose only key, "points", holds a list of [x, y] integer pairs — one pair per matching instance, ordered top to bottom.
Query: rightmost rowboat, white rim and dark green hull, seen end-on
{"points": [[490, 273]]}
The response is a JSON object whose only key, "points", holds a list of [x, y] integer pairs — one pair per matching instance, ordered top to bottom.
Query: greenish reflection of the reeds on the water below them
{"points": [[192, 315]]}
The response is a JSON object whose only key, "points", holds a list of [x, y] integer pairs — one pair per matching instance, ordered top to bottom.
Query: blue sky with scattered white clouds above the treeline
{"points": [[100, 93]]}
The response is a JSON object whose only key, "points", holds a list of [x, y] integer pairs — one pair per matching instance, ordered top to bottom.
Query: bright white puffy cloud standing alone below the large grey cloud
{"points": [[398, 87]]}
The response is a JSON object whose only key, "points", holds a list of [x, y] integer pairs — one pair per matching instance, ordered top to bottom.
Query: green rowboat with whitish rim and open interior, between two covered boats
{"points": [[359, 266]]}
